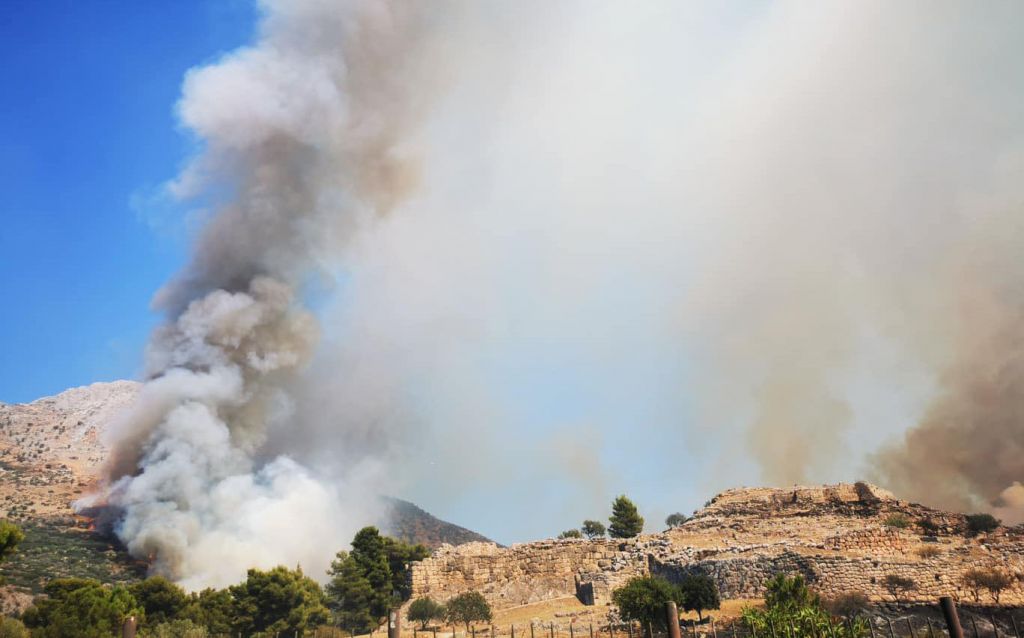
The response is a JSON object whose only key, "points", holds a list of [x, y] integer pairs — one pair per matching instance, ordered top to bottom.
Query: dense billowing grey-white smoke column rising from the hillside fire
{"points": [[306, 137]]}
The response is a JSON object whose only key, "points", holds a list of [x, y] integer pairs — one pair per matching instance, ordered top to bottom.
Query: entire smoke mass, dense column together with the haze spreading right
{"points": [[660, 249]]}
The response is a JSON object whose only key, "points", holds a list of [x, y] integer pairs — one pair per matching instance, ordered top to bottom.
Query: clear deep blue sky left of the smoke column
{"points": [[88, 127]]}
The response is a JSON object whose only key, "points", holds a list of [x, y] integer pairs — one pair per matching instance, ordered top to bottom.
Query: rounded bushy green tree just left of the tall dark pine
{"points": [[278, 601]]}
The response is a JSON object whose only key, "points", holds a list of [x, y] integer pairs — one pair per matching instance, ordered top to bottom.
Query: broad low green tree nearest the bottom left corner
{"points": [[80, 609]]}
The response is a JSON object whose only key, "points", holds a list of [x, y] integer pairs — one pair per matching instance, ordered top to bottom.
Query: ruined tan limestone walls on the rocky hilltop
{"points": [[836, 536]]}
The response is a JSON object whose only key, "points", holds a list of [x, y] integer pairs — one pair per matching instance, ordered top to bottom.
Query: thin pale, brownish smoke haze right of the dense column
{"points": [[759, 236]]}
